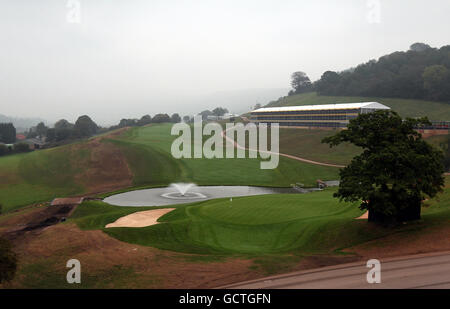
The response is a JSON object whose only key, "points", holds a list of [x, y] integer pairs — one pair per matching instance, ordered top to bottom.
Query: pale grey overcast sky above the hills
{"points": [[129, 58]]}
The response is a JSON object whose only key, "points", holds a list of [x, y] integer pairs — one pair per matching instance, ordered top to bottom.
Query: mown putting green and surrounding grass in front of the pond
{"points": [[313, 223]]}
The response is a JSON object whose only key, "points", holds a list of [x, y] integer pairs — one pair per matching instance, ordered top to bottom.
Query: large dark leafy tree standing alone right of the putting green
{"points": [[396, 170]]}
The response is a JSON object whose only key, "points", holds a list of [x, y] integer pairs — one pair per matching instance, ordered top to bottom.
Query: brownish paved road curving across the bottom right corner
{"points": [[417, 271]]}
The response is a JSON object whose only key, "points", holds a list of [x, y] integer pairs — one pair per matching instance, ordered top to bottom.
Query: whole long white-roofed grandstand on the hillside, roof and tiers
{"points": [[314, 116]]}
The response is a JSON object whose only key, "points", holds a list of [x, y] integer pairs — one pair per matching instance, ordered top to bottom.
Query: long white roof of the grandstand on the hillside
{"points": [[371, 105]]}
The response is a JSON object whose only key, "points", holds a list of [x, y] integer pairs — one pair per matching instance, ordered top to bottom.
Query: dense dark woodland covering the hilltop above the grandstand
{"points": [[422, 72]]}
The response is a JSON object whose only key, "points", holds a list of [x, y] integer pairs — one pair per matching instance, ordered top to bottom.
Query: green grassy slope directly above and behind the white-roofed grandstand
{"points": [[405, 107]]}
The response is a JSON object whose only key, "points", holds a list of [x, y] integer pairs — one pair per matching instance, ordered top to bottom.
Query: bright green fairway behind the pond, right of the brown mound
{"points": [[148, 154]]}
